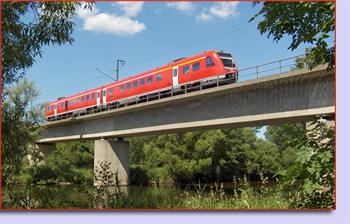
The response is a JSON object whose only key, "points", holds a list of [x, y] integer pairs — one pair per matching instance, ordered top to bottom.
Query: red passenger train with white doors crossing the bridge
{"points": [[208, 67]]}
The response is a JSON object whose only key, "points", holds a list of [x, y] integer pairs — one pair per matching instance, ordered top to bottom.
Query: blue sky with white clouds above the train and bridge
{"points": [[147, 35]]}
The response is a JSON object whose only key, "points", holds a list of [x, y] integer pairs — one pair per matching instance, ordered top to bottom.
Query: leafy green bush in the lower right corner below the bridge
{"points": [[315, 168]]}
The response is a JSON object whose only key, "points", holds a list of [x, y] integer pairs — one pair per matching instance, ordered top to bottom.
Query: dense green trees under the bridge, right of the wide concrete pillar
{"points": [[206, 156]]}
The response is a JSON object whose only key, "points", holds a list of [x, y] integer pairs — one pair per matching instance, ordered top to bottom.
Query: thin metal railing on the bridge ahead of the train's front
{"points": [[270, 68]]}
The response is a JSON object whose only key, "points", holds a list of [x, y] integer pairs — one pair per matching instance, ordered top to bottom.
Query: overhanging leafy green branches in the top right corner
{"points": [[306, 22]]}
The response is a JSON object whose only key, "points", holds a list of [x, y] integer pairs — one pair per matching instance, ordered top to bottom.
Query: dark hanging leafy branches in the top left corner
{"points": [[26, 27]]}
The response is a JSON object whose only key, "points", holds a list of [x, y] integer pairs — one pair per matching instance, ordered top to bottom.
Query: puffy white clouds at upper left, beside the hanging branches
{"points": [[110, 23]]}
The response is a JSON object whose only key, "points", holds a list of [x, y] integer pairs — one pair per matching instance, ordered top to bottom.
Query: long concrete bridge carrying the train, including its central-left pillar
{"points": [[294, 96]]}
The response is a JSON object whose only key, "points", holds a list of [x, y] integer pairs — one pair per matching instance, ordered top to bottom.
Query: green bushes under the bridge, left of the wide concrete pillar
{"points": [[70, 162]]}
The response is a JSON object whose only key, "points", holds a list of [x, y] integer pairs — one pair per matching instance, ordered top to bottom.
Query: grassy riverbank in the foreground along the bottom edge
{"points": [[154, 196]]}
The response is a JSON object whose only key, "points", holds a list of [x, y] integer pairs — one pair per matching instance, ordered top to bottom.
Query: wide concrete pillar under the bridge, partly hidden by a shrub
{"points": [[117, 153]]}
